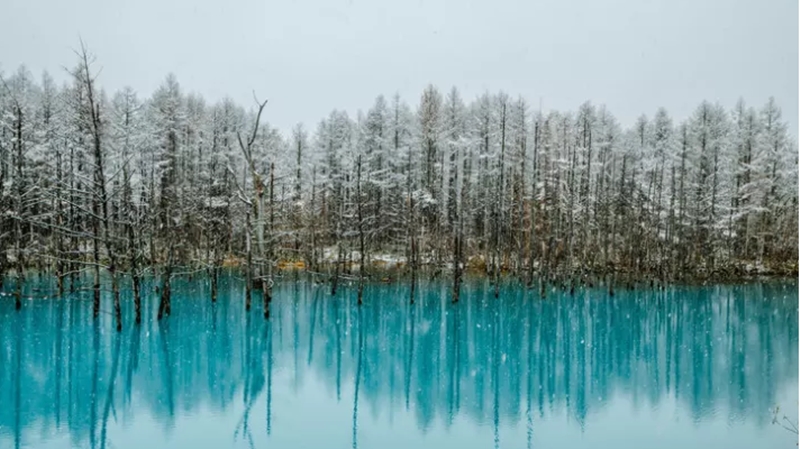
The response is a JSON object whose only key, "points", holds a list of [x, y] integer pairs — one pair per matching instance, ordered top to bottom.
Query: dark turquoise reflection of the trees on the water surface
{"points": [[722, 351]]}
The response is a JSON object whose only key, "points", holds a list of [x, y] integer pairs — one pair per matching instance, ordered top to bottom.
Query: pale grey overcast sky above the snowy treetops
{"points": [[311, 56]]}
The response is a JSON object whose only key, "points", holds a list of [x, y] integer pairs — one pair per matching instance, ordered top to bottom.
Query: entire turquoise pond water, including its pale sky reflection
{"points": [[692, 367]]}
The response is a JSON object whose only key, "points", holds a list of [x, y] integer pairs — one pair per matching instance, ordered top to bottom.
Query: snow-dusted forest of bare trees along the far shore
{"points": [[120, 185]]}
